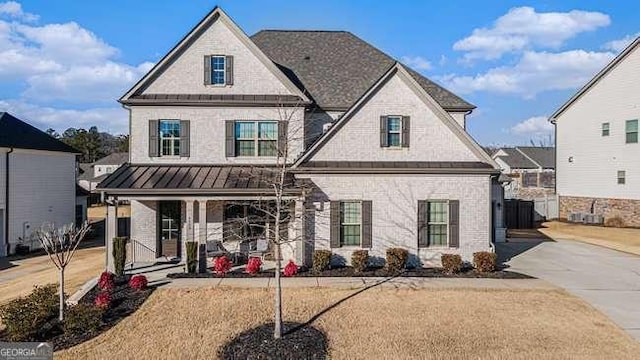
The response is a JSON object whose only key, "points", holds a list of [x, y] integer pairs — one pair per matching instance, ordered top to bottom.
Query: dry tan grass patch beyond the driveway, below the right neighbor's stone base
{"points": [[622, 239]]}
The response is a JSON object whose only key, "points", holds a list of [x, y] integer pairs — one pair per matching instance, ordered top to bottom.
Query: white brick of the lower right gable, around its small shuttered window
{"points": [[430, 138]]}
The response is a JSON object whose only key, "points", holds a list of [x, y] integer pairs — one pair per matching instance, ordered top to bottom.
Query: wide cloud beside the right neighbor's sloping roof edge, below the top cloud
{"points": [[535, 72]]}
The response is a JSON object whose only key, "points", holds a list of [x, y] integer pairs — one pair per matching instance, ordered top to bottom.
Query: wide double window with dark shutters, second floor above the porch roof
{"points": [[256, 138]]}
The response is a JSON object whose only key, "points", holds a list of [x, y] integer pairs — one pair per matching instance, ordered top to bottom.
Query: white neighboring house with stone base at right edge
{"points": [[598, 166]]}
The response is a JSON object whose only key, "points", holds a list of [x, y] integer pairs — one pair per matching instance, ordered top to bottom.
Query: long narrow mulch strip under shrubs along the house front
{"points": [[347, 271]]}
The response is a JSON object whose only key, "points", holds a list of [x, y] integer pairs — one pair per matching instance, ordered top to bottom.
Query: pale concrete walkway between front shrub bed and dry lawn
{"points": [[355, 283]]}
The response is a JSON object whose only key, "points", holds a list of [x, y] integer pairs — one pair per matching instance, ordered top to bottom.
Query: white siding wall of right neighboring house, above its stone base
{"points": [[597, 159]]}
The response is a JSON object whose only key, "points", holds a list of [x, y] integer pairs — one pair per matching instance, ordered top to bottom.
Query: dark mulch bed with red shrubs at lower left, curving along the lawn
{"points": [[124, 302]]}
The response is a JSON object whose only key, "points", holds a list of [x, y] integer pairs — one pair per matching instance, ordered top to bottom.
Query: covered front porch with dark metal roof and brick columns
{"points": [[231, 217]]}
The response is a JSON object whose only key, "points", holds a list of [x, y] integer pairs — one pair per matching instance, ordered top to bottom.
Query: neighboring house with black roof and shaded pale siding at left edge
{"points": [[37, 183]]}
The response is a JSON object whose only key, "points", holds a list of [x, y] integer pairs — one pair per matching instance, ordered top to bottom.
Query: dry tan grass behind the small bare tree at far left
{"points": [[19, 279]]}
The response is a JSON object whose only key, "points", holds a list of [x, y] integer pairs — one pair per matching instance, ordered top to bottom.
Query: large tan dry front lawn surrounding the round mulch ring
{"points": [[375, 324]]}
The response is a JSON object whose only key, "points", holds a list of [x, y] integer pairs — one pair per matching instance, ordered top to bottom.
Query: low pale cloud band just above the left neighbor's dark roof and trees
{"points": [[112, 119]]}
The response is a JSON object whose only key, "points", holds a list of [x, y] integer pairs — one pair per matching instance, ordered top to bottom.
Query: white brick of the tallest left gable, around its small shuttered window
{"points": [[186, 74]]}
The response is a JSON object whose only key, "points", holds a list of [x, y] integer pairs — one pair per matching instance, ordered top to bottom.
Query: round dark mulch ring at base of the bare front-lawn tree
{"points": [[299, 341]]}
